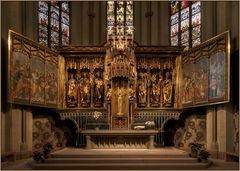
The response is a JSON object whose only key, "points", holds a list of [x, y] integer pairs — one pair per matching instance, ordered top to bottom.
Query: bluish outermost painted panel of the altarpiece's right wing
{"points": [[216, 76]]}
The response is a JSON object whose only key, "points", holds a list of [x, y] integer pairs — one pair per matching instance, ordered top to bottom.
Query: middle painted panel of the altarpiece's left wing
{"points": [[37, 81]]}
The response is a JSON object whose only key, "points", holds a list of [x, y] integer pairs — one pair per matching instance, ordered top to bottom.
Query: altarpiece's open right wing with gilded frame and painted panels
{"points": [[206, 73]]}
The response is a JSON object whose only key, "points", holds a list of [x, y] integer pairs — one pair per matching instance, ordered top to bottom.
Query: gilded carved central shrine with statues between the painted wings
{"points": [[136, 89]]}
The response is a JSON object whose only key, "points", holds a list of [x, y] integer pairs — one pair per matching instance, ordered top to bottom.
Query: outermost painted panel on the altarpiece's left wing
{"points": [[21, 81]]}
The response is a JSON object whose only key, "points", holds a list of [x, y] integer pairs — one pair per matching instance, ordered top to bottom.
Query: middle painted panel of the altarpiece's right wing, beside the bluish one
{"points": [[201, 81]]}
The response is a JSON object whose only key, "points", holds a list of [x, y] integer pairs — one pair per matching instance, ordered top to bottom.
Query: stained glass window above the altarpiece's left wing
{"points": [[54, 23]]}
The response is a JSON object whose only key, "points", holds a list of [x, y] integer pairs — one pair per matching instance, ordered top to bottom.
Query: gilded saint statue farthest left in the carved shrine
{"points": [[72, 92]]}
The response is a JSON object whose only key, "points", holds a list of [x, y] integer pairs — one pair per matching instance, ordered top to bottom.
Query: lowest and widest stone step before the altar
{"points": [[121, 166]]}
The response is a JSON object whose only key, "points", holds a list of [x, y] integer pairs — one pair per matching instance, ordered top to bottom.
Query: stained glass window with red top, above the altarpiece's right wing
{"points": [[185, 23]]}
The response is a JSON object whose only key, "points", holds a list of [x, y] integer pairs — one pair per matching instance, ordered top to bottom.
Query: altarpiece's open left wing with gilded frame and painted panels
{"points": [[33, 77]]}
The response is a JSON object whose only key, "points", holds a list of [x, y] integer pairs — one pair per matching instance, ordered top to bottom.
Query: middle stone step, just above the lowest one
{"points": [[121, 160]]}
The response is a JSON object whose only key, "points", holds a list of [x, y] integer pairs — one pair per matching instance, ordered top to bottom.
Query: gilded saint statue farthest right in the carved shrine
{"points": [[167, 90]]}
